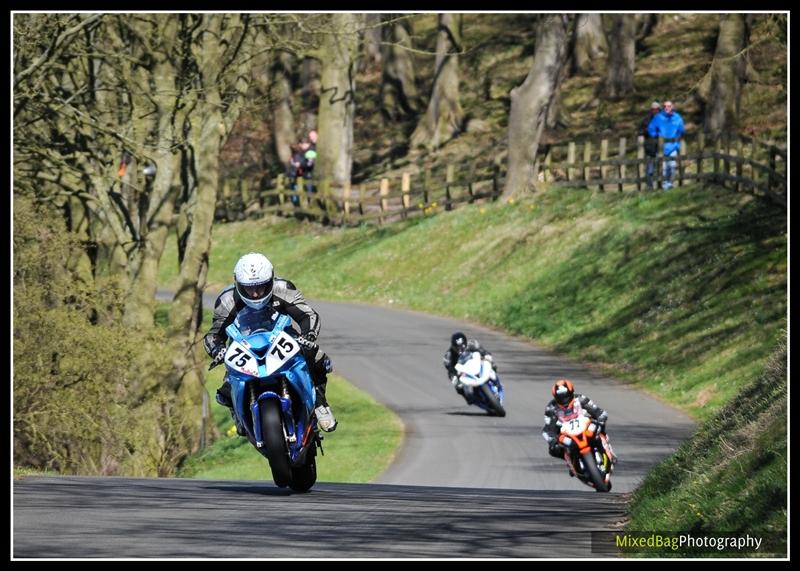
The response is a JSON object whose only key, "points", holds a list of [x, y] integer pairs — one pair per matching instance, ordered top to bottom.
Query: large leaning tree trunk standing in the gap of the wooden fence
{"points": [[530, 103]]}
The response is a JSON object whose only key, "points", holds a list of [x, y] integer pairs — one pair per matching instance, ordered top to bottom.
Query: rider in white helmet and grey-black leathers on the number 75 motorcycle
{"points": [[256, 286]]}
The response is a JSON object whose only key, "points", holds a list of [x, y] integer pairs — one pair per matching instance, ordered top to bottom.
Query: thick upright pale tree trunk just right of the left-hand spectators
{"points": [[337, 100]]}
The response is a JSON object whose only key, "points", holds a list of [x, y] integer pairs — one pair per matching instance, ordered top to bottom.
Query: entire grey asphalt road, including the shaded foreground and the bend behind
{"points": [[463, 485]]}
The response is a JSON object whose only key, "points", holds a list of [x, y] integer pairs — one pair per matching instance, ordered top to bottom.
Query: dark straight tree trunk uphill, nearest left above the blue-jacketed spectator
{"points": [[621, 56]]}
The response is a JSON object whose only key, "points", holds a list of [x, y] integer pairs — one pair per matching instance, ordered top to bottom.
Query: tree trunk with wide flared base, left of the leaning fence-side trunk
{"points": [[444, 115]]}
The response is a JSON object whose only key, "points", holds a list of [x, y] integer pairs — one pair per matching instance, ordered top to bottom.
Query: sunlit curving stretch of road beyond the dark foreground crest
{"points": [[396, 356]]}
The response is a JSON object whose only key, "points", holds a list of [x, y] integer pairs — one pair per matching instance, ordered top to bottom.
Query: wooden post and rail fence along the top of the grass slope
{"points": [[737, 162]]}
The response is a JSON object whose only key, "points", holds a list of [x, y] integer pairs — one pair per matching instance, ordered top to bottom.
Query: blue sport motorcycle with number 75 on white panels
{"points": [[273, 395]]}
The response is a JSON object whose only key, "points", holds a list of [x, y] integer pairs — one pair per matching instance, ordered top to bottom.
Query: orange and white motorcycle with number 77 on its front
{"points": [[589, 455]]}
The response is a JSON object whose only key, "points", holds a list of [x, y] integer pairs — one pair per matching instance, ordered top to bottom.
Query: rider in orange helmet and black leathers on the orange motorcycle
{"points": [[566, 405]]}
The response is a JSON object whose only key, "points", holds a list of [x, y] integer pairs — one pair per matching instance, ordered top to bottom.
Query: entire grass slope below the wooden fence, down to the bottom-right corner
{"points": [[682, 293]]}
